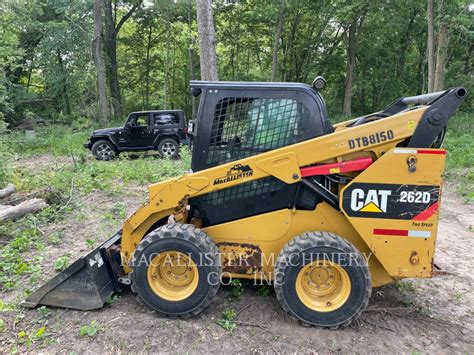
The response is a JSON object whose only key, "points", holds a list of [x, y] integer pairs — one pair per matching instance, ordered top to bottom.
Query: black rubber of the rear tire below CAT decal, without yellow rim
{"points": [[303, 249]]}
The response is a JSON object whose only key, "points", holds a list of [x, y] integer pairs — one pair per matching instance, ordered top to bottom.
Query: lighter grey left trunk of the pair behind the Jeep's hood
{"points": [[104, 114]]}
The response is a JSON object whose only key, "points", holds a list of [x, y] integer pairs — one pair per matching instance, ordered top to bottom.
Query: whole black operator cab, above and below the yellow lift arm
{"points": [[236, 120]]}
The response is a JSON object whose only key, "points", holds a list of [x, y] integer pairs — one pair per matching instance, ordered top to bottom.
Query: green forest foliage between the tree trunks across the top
{"points": [[46, 74]]}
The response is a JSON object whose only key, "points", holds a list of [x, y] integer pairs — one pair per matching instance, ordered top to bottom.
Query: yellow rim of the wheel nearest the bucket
{"points": [[173, 276]]}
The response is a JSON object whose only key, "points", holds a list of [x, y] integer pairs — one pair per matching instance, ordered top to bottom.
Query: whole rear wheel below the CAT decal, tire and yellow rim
{"points": [[321, 279]]}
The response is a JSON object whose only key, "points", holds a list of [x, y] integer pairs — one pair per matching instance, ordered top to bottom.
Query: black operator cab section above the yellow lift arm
{"points": [[240, 119]]}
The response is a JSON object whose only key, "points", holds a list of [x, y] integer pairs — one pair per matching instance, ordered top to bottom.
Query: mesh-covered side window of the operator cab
{"points": [[244, 127]]}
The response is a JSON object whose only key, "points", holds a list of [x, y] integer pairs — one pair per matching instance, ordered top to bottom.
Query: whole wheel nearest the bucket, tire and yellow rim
{"points": [[176, 270]]}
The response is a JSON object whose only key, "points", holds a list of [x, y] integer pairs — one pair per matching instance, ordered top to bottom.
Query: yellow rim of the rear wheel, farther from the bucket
{"points": [[323, 286]]}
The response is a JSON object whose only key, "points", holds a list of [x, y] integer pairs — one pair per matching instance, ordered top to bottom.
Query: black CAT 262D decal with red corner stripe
{"points": [[417, 202]]}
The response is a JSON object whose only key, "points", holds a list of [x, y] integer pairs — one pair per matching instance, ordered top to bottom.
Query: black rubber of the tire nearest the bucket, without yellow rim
{"points": [[186, 239]]}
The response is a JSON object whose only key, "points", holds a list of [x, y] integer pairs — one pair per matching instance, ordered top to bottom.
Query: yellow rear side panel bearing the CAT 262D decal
{"points": [[394, 206]]}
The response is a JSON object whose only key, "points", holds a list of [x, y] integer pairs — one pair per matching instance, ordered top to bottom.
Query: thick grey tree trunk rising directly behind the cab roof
{"points": [[208, 57]]}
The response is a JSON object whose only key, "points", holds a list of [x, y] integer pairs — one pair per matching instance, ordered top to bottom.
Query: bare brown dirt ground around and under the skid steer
{"points": [[414, 316]]}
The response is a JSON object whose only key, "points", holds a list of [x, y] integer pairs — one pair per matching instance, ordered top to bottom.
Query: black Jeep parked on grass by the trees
{"points": [[147, 130]]}
